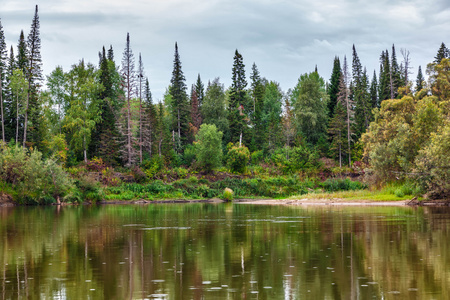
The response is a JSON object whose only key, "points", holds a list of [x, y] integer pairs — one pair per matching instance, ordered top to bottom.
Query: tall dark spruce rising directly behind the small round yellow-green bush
{"points": [[238, 103]]}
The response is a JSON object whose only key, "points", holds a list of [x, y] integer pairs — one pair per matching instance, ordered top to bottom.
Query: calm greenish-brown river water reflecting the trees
{"points": [[205, 251]]}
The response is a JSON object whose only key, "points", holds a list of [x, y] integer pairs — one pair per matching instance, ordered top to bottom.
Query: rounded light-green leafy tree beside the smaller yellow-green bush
{"points": [[208, 146]]}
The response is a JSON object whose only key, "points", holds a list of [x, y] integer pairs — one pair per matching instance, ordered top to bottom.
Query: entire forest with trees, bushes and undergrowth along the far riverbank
{"points": [[94, 132]]}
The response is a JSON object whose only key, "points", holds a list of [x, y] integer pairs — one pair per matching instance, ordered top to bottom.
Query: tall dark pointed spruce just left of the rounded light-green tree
{"points": [[179, 105]]}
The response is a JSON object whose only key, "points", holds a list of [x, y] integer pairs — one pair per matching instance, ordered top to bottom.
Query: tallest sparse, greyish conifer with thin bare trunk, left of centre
{"points": [[129, 85]]}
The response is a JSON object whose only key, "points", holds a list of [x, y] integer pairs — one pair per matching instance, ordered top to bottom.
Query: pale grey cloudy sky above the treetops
{"points": [[285, 38]]}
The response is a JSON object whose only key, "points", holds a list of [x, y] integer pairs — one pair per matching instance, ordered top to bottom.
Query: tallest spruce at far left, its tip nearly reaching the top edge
{"points": [[34, 76]]}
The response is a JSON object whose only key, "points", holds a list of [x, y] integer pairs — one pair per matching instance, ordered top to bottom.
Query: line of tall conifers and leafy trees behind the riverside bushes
{"points": [[106, 110]]}
